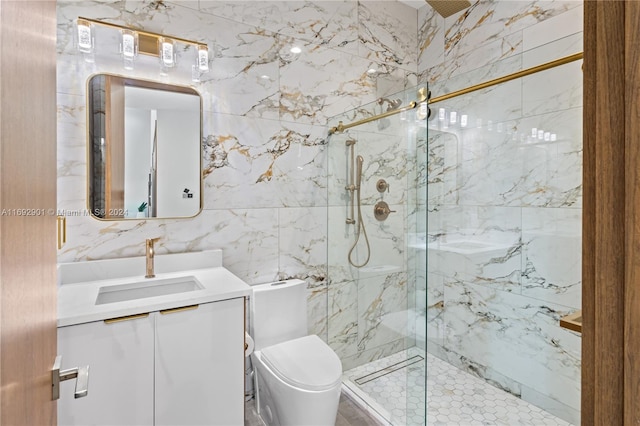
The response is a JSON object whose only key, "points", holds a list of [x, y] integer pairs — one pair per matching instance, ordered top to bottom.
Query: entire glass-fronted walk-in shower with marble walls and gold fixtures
{"points": [[479, 253]]}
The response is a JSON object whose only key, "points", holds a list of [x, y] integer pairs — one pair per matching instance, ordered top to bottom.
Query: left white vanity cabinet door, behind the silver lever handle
{"points": [[120, 359]]}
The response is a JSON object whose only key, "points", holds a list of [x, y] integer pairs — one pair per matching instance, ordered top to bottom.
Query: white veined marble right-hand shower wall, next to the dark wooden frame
{"points": [[504, 197]]}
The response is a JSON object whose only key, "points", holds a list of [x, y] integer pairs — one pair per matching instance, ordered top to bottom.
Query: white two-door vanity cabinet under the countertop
{"points": [[178, 366]]}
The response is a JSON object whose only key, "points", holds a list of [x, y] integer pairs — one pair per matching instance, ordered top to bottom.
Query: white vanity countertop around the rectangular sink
{"points": [[77, 300]]}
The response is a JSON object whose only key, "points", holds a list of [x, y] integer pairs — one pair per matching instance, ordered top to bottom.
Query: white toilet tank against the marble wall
{"points": [[278, 312]]}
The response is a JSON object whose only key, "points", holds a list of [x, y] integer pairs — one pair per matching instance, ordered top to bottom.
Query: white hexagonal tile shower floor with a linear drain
{"points": [[454, 397]]}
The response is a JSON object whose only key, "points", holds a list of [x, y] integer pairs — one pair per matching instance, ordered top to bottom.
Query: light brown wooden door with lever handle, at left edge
{"points": [[27, 207]]}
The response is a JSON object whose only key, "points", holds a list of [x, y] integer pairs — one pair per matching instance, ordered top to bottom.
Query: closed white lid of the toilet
{"points": [[306, 362]]}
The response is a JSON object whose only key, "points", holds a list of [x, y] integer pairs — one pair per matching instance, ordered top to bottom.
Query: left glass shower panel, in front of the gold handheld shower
{"points": [[377, 254]]}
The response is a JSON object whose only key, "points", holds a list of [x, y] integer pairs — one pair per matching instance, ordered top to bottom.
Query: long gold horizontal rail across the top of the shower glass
{"points": [[542, 67]]}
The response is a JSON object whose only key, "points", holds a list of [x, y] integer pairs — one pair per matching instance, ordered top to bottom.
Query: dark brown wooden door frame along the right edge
{"points": [[611, 214]]}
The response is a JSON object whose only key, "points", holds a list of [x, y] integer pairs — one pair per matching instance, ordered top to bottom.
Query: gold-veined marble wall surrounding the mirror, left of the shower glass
{"points": [[264, 126]]}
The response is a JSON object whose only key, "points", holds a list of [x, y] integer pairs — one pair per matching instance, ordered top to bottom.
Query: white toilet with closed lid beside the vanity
{"points": [[297, 376]]}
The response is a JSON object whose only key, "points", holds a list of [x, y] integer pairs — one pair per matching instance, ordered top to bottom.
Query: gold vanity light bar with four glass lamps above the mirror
{"points": [[134, 41]]}
